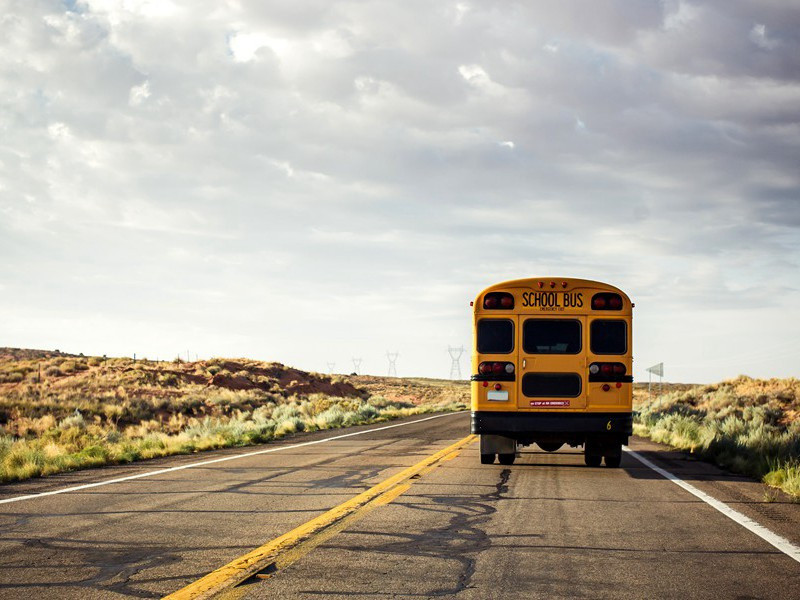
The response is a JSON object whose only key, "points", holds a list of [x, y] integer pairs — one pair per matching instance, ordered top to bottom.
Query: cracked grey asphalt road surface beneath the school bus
{"points": [[546, 527]]}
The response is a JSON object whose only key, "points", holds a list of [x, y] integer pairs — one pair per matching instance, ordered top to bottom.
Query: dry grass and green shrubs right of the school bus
{"points": [[750, 426]]}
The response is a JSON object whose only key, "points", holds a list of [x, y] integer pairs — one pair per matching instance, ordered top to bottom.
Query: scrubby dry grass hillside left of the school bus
{"points": [[60, 412]]}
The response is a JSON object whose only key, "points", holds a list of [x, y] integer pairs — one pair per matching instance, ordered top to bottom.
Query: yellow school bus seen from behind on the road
{"points": [[551, 365]]}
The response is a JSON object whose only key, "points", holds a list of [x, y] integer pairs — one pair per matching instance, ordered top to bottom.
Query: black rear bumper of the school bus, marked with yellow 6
{"points": [[540, 425]]}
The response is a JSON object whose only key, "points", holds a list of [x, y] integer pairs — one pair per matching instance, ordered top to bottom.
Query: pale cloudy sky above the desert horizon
{"points": [[309, 182]]}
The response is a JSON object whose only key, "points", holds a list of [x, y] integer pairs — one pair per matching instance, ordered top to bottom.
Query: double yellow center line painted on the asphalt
{"points": [[262, 557]]}
